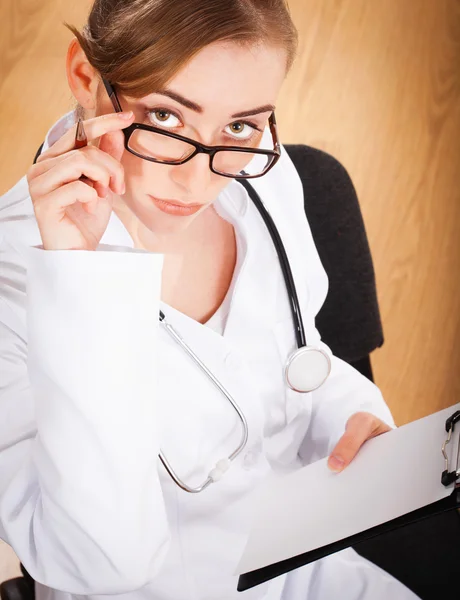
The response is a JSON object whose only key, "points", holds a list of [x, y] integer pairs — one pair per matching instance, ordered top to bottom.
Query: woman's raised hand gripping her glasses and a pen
{"points": [[74, 214]]}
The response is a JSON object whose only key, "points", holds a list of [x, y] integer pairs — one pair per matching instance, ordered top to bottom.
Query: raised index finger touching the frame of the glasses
{"points": [[94, 129]]}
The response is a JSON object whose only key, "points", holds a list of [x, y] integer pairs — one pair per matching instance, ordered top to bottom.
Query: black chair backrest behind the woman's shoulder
{"points": [[349, 321]]}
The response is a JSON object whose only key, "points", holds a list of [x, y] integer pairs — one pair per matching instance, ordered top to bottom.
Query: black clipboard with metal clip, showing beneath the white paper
{"points": [[449, 478]]}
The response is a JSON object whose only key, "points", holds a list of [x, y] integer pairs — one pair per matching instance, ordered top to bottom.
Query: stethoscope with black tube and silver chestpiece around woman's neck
{"points": [[306, 369]]}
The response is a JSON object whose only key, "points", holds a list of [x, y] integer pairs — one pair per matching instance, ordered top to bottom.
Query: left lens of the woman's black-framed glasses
{"points": [[157, 146]]}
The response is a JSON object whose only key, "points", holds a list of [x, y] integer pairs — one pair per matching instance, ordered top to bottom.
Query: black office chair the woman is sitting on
{"points": [[349, 322]]}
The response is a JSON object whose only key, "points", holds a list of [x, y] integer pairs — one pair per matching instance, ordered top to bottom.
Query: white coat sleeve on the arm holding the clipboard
{"points": [[345, 392]]}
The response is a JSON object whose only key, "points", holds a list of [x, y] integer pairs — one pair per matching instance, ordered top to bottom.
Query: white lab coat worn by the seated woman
{"points": [[91, 388]]}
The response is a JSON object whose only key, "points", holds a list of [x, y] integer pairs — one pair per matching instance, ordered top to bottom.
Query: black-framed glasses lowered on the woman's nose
{"points": [[157, 145]]}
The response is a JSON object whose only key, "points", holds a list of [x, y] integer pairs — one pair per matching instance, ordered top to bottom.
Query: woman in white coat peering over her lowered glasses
{"points": [[93, 387]]}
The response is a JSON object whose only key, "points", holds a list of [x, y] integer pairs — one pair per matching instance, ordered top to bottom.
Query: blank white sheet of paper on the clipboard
{"points": [[393, 474]]}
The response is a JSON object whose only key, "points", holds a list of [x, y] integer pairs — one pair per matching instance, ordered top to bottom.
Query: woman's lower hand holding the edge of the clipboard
{"points": [[361, 426]]}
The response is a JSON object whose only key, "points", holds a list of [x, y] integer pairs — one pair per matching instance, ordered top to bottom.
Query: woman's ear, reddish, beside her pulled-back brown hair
{"points": [[82, 77]]}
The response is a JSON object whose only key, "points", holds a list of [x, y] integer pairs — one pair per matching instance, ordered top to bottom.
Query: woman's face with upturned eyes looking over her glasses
{"points": [[222, 80]]}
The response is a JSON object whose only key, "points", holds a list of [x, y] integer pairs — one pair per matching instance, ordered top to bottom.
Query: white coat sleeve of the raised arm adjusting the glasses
{"points": [[80, 501]]}
